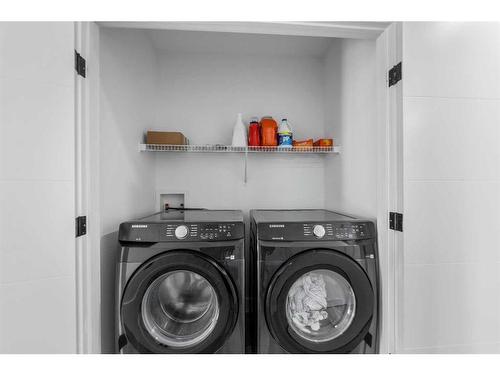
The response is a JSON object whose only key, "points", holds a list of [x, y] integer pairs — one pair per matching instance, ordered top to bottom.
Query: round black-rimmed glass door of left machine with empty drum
{"points": [[179, 302]]}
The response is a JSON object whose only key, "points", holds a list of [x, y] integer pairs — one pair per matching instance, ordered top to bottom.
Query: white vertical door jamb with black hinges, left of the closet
{"points": [[87, 191]]}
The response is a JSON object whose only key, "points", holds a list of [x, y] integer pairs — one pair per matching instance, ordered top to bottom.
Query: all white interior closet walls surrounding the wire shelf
{"points": [[325, 87]]}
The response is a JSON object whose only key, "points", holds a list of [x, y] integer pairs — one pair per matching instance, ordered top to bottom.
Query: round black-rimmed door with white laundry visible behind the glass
{"points": [[321, 301]]}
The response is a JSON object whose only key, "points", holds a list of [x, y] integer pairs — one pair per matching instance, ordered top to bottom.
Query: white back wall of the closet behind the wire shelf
{"points": [[200, 95]]}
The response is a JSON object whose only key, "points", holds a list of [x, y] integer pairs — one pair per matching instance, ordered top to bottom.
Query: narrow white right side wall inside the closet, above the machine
{"points": [[351, 118]]}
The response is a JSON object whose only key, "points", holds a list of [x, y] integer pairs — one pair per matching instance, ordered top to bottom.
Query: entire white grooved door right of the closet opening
{"points": [[451, 93]]}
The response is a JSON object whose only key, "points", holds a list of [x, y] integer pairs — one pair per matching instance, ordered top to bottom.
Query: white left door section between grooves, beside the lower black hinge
{"points": [[34, 238]]}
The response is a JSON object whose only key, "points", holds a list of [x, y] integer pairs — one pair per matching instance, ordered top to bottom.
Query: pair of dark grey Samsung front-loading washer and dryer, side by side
{"points": [[306, 284]]}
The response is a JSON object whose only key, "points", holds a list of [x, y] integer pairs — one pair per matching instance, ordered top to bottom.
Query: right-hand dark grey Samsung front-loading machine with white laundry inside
{"points": [[316, 288]]}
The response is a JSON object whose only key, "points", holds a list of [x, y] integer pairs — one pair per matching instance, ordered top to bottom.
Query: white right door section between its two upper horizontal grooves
{"points": [[452, 139]]}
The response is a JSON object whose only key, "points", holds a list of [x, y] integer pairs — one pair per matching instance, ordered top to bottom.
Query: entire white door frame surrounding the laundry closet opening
{"points": [[389, 159]]}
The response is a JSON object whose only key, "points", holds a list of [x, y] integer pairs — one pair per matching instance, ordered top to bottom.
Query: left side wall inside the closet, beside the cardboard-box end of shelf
{"points": [[127, 102]]}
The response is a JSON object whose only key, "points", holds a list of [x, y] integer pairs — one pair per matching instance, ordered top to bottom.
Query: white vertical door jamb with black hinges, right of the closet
{"points": [[390, 185]]}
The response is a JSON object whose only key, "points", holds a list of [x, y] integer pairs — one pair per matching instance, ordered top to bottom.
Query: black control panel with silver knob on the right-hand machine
{"points": [[330, 231]]}
